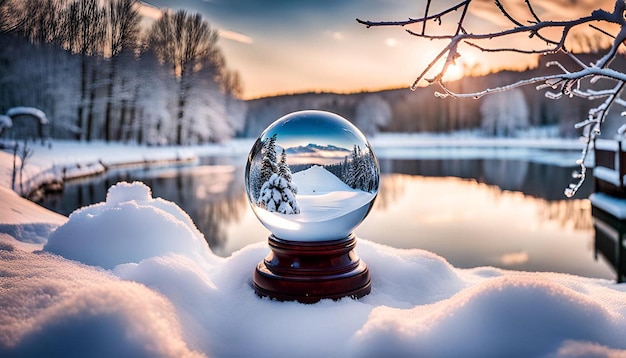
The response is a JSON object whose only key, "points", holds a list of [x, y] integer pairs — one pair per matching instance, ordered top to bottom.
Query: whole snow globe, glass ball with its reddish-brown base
{"points": [[311, 178]]}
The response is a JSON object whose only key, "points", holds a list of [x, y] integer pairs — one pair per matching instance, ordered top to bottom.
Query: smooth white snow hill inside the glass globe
{"points": [[317, 180]]}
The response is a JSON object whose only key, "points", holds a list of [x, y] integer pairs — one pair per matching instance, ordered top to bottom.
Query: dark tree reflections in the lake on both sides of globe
{"points": [[215, 199]]}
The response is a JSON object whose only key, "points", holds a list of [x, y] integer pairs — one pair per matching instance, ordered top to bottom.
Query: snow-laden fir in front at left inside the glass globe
{"points": [[276, 196]]}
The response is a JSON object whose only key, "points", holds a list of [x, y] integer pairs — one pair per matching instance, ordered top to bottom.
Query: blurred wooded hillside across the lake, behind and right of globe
{"points": [[421, 111]]}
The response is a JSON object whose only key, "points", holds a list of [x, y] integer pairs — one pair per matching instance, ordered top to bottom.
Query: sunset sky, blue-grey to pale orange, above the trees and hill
{"points": [[291, 46]]}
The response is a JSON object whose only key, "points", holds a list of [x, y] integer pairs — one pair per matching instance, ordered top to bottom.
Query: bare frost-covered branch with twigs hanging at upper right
{"points": [[566, 82]]}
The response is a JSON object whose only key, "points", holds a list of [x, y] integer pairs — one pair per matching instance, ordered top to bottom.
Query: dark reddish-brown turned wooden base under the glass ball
{"points": [[310, 271]]}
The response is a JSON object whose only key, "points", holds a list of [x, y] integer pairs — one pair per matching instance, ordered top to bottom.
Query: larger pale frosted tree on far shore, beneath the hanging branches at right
{"points": [[504, 113]]}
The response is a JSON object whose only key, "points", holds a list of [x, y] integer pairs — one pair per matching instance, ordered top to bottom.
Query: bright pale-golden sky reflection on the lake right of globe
{"points": [[474, 224]]}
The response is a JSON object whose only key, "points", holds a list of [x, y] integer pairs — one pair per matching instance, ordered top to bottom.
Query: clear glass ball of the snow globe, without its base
{"points": [[311, 176]]}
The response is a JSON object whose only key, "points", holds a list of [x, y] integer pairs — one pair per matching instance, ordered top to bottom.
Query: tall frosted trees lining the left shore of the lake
{"points": [[100, 73]]}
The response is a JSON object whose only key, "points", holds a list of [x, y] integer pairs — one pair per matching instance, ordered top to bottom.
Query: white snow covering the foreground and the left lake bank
{"points": [[133, 277]]}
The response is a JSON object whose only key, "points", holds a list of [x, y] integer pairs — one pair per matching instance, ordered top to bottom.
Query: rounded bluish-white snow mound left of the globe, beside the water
{"points": [[129, 227]]}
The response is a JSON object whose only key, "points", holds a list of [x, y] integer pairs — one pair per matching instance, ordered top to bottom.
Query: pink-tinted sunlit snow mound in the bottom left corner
{"points": [[52, 307]]}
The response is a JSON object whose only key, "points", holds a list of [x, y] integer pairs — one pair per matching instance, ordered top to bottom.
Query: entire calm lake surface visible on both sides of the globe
{"points": [[506, 213]]}
